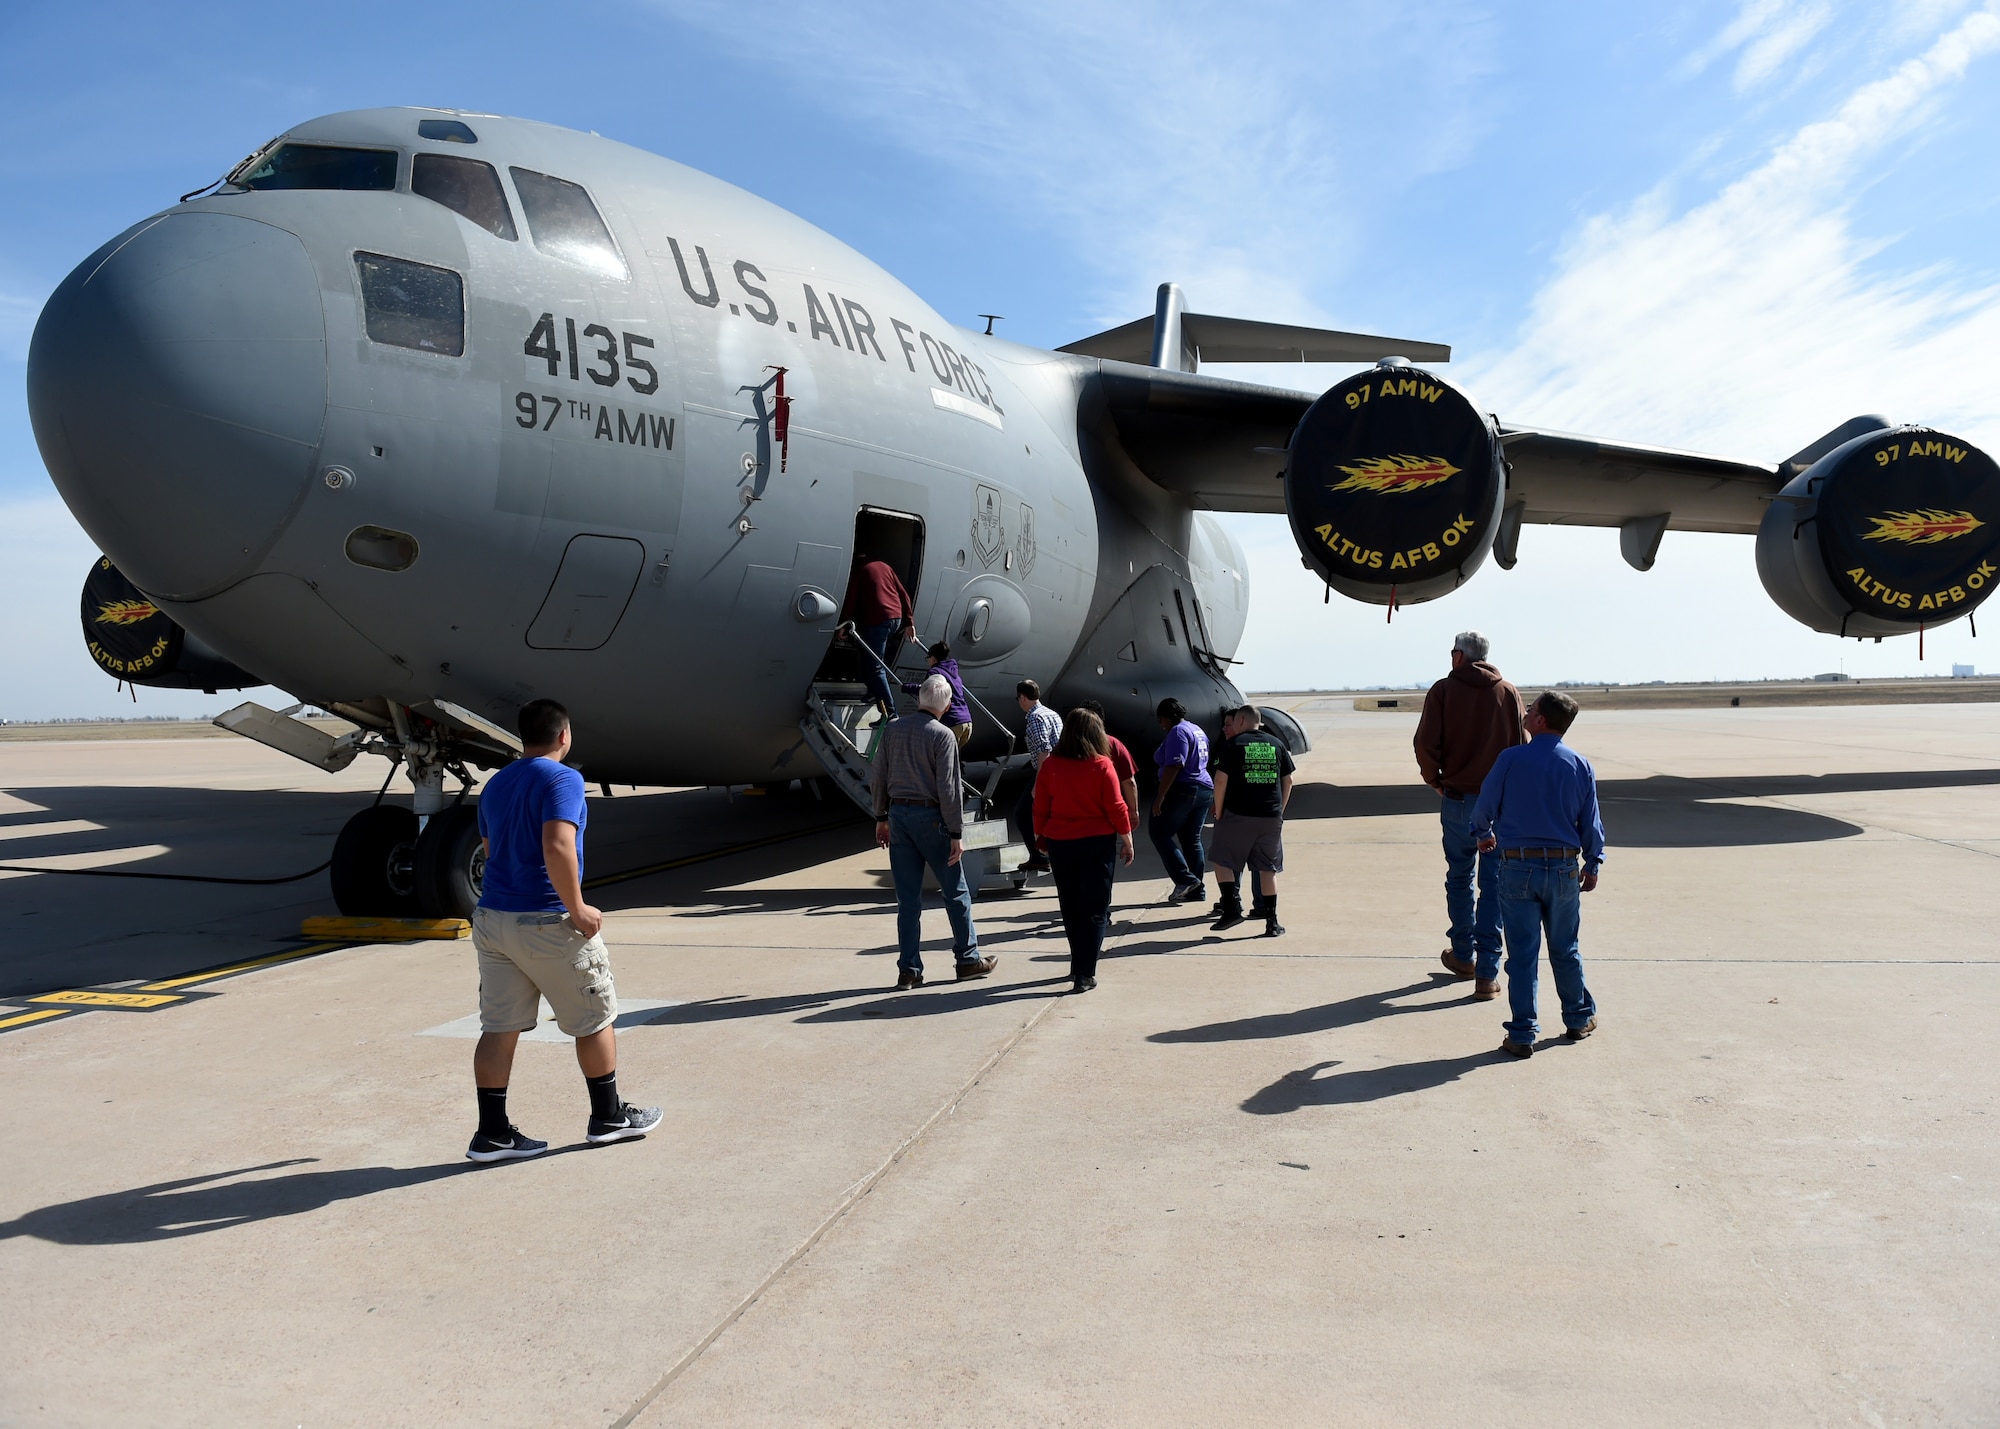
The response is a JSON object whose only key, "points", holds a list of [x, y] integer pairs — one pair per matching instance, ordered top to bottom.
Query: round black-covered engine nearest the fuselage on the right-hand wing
{"points": [[1393, 485]]}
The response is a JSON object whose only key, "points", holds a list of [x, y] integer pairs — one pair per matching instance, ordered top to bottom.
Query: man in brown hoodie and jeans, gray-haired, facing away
{"points": [[1469, 718]]}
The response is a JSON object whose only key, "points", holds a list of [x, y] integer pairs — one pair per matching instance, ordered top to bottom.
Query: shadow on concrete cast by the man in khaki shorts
{"points": [[195, 1206]]}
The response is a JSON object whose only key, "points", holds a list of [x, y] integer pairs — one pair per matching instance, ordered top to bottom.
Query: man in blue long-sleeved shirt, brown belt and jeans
{"points": [[1539, 808]]}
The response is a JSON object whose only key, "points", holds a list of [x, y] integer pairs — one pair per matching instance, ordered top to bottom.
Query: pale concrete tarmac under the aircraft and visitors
{"points": [[1249, 1182]]}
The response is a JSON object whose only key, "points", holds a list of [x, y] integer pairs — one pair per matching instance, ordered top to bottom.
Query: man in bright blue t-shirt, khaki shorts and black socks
{"points": [[537, 938]]}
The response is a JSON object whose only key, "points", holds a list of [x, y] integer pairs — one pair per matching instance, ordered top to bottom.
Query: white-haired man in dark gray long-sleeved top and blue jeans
{"points": [[921, 822]]}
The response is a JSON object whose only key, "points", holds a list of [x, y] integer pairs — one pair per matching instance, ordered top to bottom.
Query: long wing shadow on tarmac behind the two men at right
{"points": [[1665, 812]]}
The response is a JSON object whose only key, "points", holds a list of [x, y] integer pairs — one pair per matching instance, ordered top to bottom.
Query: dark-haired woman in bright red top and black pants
{"points": [[1083, 824]]}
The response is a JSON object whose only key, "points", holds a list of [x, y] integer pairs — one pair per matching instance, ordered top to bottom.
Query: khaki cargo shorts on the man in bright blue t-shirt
{"points": [[531, 956]]}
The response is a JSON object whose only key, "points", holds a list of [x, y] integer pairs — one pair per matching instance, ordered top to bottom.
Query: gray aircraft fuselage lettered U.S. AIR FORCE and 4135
{"points": [[593, 487]]}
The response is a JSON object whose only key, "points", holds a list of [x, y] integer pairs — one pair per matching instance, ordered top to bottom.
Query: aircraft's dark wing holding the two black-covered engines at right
{"points": [[1221, 445]]}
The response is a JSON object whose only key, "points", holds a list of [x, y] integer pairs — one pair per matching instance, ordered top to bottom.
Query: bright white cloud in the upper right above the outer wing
{"points": [[1757, 321]]}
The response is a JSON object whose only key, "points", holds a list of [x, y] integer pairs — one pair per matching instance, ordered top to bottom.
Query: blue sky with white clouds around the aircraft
{"points": [[1721, 225]]}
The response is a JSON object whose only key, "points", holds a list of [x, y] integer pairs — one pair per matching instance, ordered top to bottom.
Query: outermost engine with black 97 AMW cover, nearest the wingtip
{"points": [[1893, 531]]}
